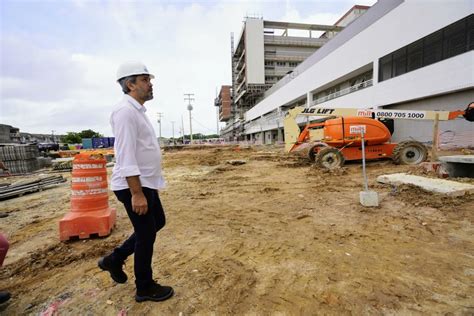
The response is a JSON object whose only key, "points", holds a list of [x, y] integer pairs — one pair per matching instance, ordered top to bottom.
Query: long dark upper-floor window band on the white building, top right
{"points": [[450, 41]]}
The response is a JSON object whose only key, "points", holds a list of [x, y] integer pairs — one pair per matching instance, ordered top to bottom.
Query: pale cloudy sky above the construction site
{"points": [[58, 58]]}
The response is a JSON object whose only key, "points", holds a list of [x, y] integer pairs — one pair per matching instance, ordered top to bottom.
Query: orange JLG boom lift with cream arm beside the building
{"points": [[336, 136]]}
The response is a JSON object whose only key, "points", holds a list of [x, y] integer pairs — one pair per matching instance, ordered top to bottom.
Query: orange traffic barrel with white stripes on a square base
{"points": [[90, 213]]}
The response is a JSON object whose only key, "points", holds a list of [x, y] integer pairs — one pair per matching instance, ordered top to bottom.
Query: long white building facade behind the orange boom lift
{"points": [[400, 54]]}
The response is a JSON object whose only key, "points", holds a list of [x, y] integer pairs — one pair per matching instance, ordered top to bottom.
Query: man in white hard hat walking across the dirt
{"points": [[136, 179]]}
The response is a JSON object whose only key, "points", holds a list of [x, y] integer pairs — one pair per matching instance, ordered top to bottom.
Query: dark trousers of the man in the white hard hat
{"points": [[142, 240]]}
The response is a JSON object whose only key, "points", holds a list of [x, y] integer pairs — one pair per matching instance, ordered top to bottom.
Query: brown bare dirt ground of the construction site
{"points": [[272, 236]]}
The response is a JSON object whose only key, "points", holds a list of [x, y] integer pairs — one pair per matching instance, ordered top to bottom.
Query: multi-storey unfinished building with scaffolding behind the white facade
{"points": [[267, 52]]}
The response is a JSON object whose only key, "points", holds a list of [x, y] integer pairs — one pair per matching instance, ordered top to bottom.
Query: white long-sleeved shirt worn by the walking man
{"points": [[137, 152]]}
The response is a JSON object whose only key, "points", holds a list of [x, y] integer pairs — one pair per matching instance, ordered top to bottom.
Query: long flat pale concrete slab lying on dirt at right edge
{"points": [[448, 187]]}
